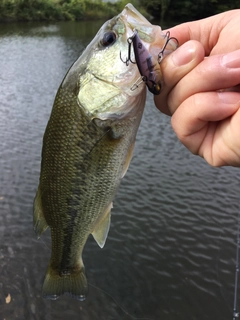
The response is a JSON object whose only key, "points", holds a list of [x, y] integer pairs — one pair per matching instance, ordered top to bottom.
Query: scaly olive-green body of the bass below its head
{"points": [[83, 161]]}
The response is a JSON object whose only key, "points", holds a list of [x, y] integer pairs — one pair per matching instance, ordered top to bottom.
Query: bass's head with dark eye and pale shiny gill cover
{"points": [[105, 84]]}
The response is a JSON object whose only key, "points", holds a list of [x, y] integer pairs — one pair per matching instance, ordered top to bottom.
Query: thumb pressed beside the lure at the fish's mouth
{"points": [[176, 66]]}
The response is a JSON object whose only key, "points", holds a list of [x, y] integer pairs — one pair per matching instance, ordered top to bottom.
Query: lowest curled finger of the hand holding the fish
{"points": [[204, 123]]}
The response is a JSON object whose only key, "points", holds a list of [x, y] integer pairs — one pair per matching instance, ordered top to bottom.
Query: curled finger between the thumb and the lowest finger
{"points": [[213, 73]]}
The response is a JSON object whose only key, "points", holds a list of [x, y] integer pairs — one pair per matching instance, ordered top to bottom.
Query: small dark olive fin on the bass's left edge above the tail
{"points": [[39, 222]]}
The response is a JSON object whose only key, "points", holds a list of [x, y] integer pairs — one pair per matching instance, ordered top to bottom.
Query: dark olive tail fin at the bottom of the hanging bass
{"points": [[74, 284]]}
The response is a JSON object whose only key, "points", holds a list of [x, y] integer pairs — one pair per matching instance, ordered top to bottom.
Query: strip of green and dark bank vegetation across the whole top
{"points": [[27, 10]]}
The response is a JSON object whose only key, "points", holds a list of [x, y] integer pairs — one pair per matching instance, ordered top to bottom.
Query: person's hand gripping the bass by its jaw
{"points": [[201, 88]]}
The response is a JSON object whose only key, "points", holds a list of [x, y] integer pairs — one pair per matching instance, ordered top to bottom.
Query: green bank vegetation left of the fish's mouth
{"points": [[31, 10]]}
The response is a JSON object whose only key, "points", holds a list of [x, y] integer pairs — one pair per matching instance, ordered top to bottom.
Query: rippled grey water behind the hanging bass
{"points": [[170, 253]]}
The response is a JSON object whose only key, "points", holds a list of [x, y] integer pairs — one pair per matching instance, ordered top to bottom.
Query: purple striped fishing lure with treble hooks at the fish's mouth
{"points": [[149, 69]]}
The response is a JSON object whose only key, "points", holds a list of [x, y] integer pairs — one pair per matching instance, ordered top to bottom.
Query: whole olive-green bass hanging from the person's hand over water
{"points": [[87, 148]]}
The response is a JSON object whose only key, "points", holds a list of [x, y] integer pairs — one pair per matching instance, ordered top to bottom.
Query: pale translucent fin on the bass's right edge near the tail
{"points": [[100, 232]]}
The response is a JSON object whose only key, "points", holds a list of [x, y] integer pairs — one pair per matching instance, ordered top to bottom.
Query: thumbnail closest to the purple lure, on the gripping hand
{"points": [[184, 54]]}
